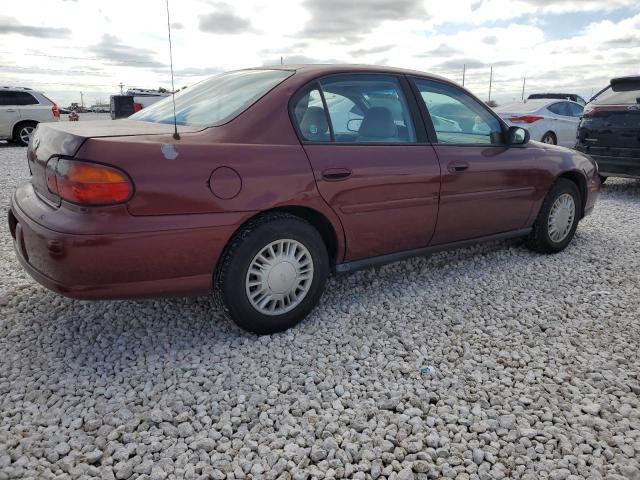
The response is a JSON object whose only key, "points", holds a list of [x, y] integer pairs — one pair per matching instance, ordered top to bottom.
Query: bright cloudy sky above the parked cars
{"points": [[64, 47]]}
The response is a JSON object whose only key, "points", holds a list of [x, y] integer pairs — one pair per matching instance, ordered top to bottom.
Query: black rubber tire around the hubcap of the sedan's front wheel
{"points": [[539, 239]]}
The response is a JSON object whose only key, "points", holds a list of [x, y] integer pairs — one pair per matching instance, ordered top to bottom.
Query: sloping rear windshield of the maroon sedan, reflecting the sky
{"points": [[214, 101]]}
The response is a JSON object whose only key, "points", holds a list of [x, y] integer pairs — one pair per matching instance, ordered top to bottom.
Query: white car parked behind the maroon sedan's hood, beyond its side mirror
{"points": [[548, 120]]}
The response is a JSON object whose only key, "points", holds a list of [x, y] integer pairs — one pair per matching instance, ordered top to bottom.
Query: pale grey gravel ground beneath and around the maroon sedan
{"points": [[489, 362]]}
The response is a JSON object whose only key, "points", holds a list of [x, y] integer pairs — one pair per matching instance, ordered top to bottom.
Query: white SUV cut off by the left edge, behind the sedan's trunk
{"points": [[21, 109]]}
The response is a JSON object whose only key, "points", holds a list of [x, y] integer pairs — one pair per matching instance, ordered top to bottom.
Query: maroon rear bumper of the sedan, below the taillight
{"points": [[160, 261]]}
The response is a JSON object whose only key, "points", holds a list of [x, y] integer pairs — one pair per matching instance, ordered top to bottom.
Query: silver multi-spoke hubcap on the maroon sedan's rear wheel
{"points": [[279, 277]]}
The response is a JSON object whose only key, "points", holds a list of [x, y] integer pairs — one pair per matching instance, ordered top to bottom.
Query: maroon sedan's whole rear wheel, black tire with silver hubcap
{"points": [[272, 274]]}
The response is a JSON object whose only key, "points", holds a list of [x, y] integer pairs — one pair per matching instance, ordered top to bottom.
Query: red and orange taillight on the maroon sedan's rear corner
{"points": [[88, 183]]}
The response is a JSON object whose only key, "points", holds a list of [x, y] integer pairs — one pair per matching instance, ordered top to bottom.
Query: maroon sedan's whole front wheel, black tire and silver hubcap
{"points": [[558, 218]]}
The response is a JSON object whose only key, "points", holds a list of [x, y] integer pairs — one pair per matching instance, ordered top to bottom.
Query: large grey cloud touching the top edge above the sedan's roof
{"points": [[342, 22]]}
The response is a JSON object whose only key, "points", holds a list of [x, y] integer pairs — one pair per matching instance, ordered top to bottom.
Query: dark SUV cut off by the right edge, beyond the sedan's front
{"points": [[610, 129]]}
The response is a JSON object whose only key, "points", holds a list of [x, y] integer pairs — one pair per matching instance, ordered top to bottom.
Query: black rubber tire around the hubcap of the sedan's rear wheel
{"points": [[231, 274]]}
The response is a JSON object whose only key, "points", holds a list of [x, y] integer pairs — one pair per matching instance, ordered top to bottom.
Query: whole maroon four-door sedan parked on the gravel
{"points": [[279, 176]]}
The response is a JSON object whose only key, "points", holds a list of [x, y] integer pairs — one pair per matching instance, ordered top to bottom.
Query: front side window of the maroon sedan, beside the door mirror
{"points": [[457, 117]]}
